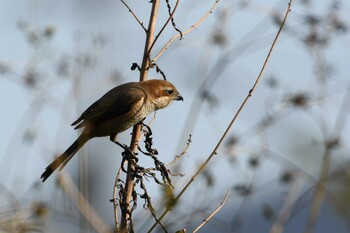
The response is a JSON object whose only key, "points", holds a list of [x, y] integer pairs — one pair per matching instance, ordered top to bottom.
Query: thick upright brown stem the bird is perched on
{"points": [[129, 184]]}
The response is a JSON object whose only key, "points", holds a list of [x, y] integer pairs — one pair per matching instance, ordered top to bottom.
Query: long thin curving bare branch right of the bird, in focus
{"points": [[201, 168]]}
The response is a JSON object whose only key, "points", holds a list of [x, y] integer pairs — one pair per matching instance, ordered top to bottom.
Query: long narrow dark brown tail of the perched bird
{"points": [[64, 158]]}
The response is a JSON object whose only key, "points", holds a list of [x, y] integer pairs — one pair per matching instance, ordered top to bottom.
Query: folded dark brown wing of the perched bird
{"points": [[114, 103]]}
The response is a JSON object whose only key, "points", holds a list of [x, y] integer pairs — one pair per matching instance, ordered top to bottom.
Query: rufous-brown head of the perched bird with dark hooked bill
{"points": [[162, 92]]}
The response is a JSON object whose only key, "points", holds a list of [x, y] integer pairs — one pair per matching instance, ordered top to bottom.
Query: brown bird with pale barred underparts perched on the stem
{"points": [[119, 109]]}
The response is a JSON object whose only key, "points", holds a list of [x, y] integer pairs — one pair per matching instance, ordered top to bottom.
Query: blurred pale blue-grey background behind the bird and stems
{"points": [[58, 57]]}
